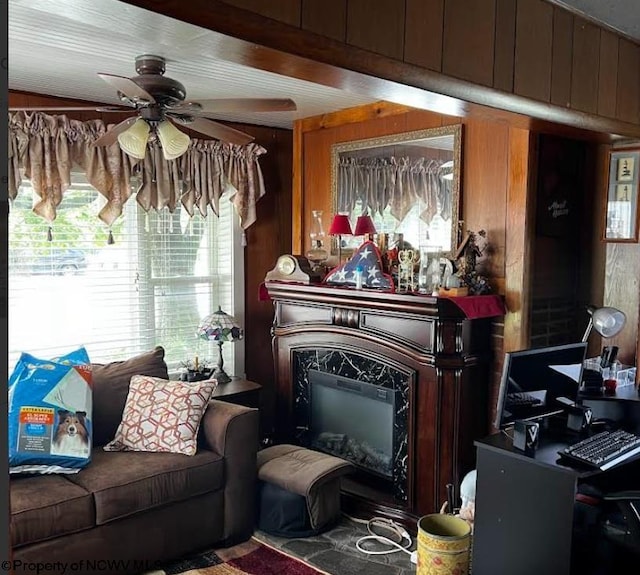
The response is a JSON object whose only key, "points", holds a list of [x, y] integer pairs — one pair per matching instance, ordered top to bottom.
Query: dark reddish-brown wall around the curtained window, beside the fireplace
{"points": [[267, 238]]}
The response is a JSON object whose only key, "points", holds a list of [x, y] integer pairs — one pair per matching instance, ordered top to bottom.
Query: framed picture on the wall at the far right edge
{"points": [[621, 210]]}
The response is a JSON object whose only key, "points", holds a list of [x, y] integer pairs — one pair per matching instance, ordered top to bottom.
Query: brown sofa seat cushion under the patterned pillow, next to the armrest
{"points": [[128, 482]]}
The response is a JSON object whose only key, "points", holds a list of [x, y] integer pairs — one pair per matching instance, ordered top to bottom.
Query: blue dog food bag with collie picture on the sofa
{"points": [[50, 414]]}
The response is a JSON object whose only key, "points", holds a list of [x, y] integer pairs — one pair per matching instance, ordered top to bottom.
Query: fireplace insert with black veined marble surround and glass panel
{"points": [[354, 406]]}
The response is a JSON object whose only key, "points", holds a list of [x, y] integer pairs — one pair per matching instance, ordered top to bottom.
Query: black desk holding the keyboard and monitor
{"points": [[525, 506]]}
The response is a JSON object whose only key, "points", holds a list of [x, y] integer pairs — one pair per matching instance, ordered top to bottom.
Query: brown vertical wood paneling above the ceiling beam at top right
{"points": [[529, 48]]}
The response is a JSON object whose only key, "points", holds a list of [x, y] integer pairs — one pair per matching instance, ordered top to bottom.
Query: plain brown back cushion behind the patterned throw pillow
{"points": [[111, 386]]}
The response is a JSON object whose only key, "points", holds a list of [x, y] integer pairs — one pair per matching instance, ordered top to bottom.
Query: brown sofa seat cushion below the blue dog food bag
{"points": [[48, 506]]}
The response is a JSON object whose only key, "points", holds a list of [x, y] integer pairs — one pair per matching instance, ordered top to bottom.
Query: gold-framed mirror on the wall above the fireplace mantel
{"points": [[408, 183]]}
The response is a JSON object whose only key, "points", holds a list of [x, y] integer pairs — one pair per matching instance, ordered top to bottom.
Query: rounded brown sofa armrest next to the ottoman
{"points": [[232, 431]]}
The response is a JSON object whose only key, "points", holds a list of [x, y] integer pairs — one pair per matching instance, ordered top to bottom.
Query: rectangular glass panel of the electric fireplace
{"points": [[353, 420]]}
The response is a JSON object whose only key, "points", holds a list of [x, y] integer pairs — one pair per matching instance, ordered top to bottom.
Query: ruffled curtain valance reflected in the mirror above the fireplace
{"points": [[393, 182]]}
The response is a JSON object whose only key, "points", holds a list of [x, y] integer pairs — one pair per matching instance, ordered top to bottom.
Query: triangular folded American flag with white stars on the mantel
{"points": [[368, 258]]}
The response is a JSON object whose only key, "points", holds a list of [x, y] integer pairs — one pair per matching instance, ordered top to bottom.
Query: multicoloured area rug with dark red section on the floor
{"points": [[250, 558]]}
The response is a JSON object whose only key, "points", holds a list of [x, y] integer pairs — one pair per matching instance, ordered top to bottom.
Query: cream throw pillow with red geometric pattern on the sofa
{"points": [[162, 415]]}
